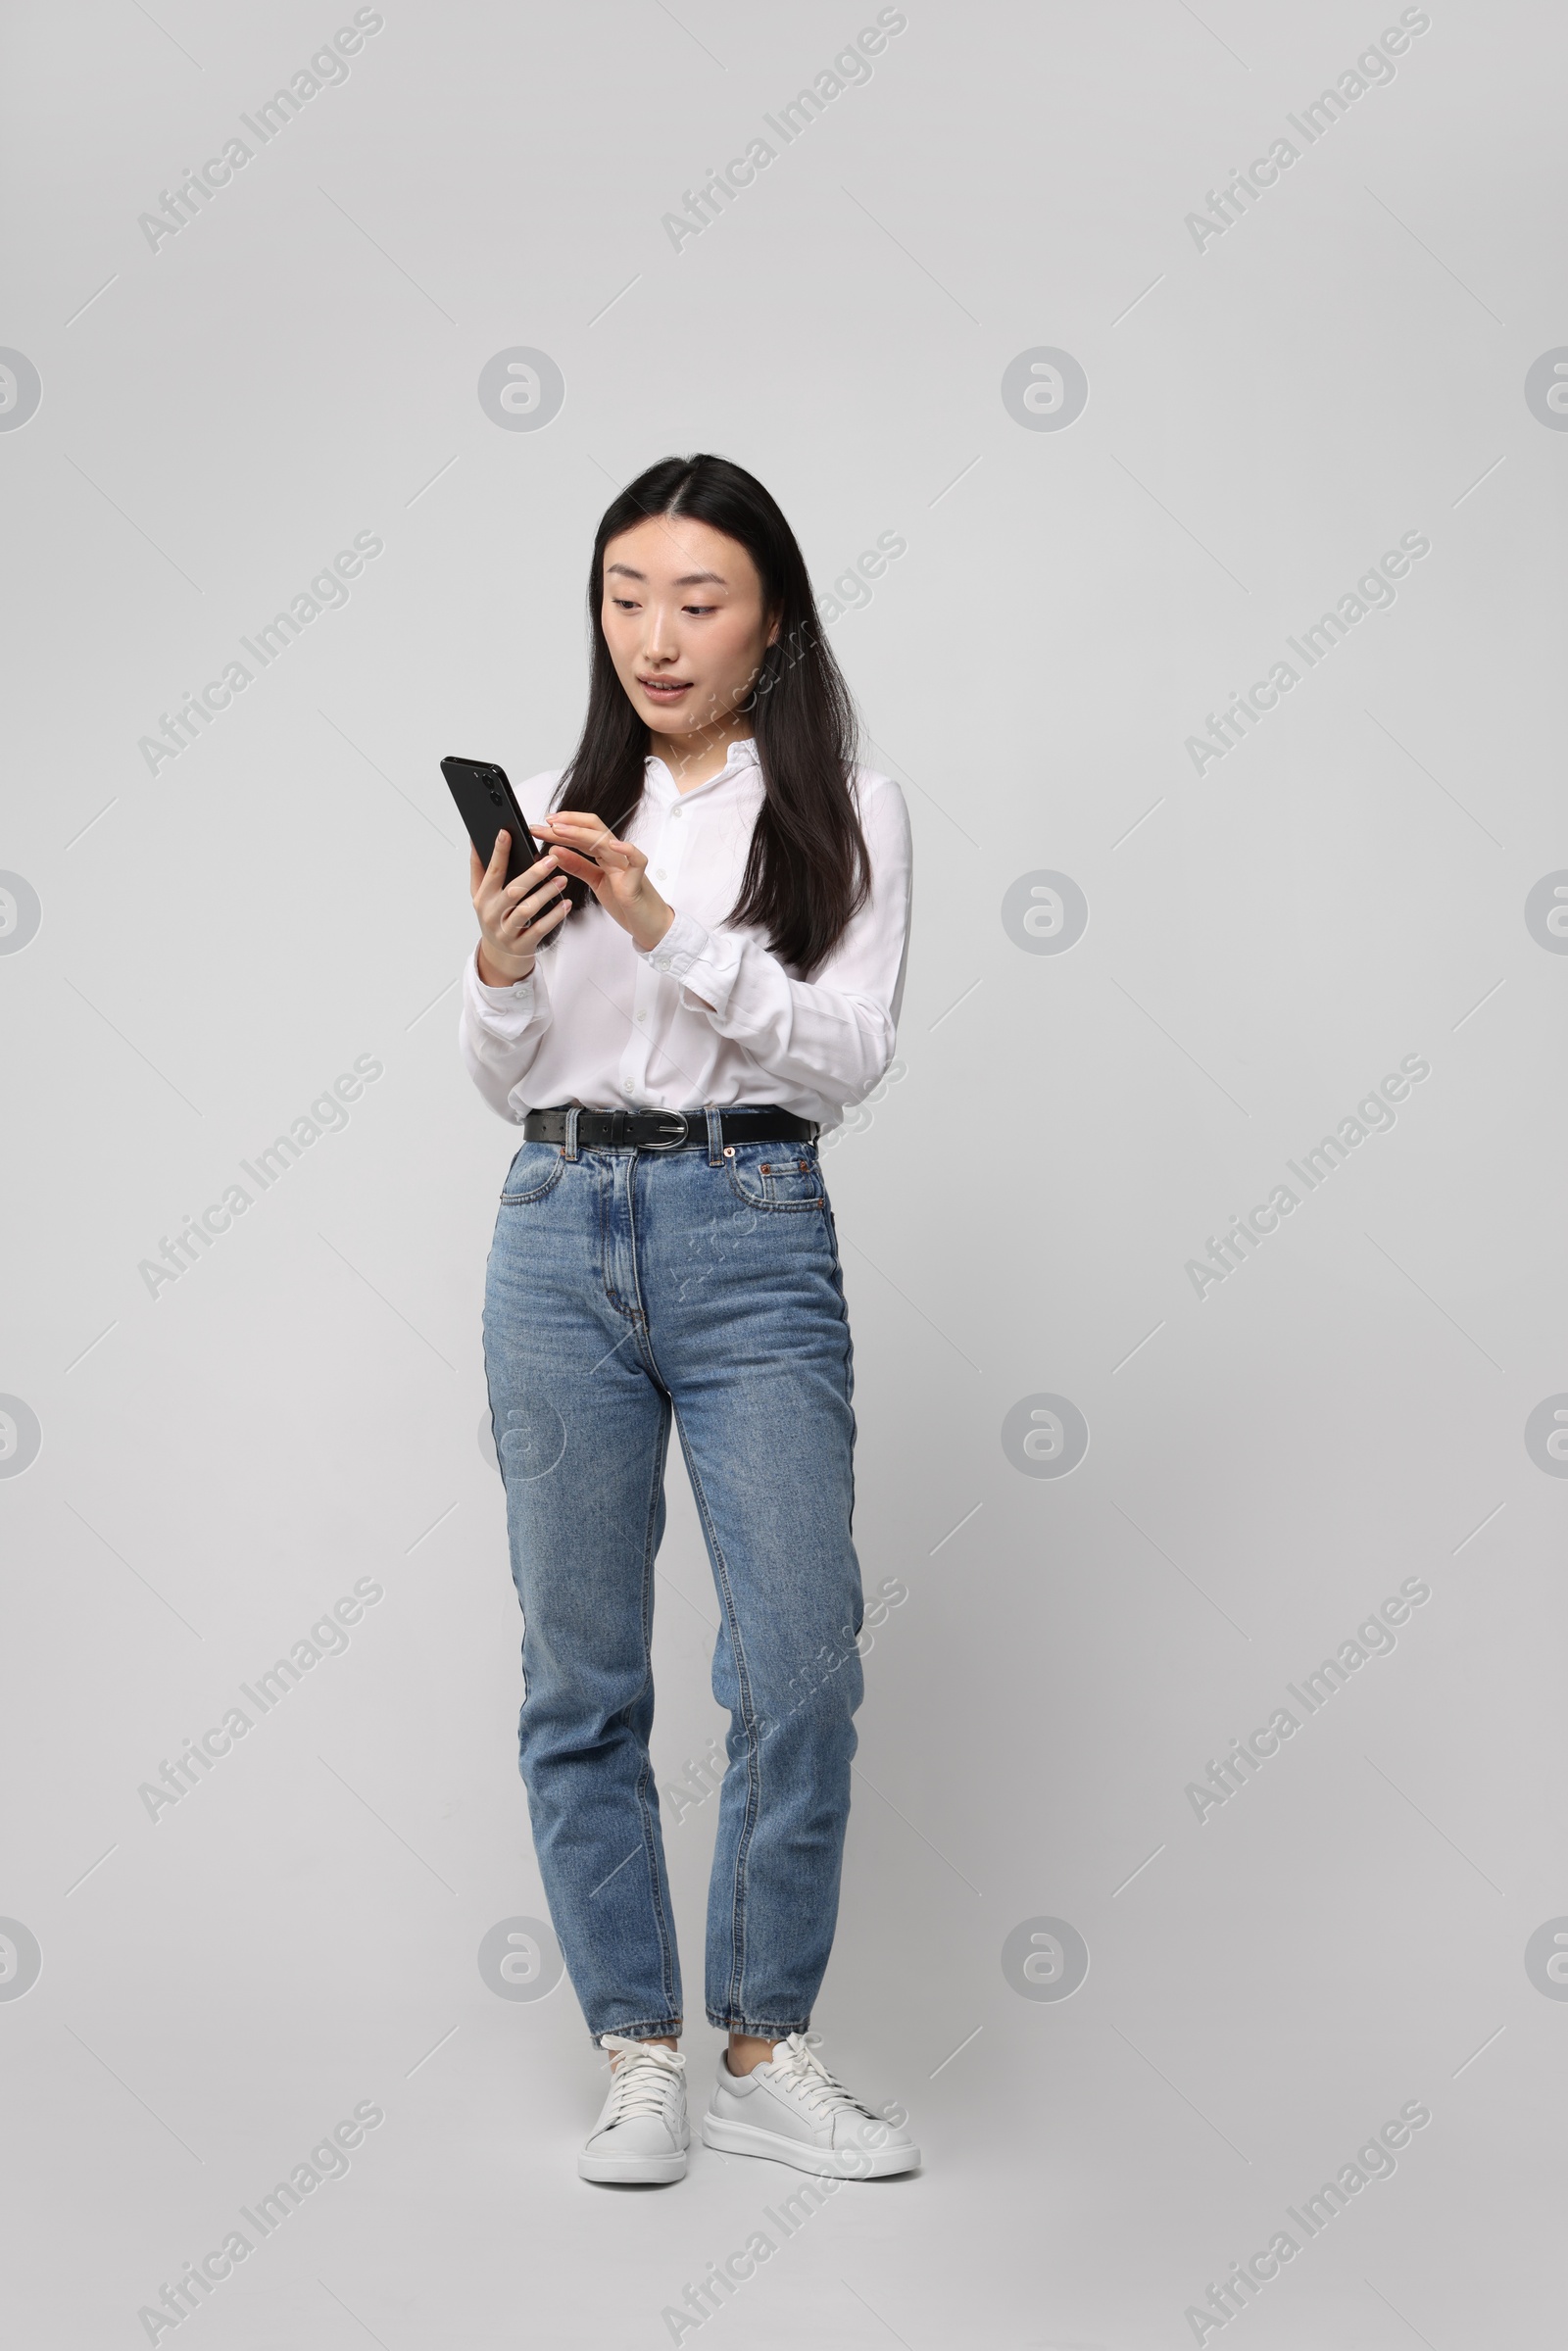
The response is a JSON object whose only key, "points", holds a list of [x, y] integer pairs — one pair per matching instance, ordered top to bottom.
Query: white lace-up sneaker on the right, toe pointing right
{"points": [[796, 2112]]}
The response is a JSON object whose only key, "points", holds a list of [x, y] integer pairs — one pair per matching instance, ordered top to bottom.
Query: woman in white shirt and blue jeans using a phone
{"points": [[674, 1003]]}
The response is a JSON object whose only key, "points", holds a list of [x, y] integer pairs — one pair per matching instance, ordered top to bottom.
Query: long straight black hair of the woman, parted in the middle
{"points": [[808, 871]]}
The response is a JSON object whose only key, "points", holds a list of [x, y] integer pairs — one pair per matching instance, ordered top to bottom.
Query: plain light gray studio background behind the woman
{"points": [[1266, 1463]]}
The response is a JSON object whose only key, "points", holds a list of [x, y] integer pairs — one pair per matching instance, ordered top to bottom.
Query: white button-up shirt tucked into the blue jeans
{"points": [[605, 1026]]}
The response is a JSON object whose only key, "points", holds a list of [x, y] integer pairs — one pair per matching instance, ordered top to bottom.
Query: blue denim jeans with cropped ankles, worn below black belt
{"points": [[629, 1290]]}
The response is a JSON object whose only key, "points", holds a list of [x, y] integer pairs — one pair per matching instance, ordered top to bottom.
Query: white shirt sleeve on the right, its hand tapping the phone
{"points": [[833, 1033]]}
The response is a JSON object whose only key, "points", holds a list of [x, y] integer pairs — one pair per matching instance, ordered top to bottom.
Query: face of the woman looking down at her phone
{"points": [[685, 622]]}
